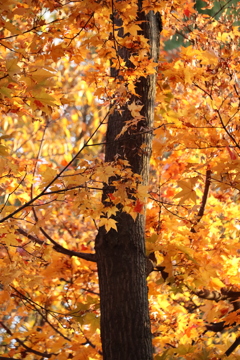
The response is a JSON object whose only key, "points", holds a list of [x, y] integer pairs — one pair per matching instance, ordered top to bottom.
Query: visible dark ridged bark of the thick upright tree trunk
{"points": [[121, 259]]}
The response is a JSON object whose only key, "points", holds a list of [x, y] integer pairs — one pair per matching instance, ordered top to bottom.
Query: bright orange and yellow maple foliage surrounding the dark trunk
{"points": [[56, 95]]}
